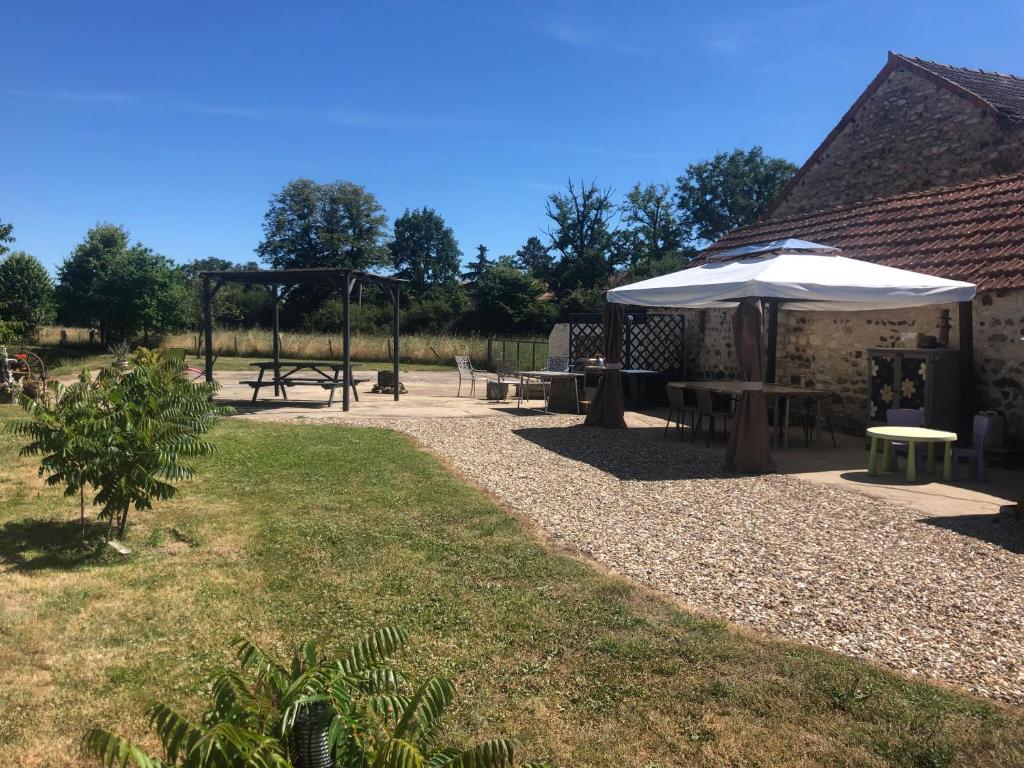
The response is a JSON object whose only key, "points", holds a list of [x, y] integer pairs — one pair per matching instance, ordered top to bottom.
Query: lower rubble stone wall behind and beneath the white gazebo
{"points": [[829, 350]]}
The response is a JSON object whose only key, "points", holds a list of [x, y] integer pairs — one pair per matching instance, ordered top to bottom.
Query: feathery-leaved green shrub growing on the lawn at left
{"points": [[129, 435]]}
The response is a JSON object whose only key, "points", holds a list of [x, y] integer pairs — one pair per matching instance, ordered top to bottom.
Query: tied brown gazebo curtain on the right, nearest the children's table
{"points": [[748, 450]]}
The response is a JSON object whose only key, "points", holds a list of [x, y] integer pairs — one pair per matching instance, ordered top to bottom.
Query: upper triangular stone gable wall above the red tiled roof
{"points": [[912, 135]]}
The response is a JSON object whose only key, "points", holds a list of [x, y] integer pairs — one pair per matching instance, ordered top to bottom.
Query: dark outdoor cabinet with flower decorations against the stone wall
{"points": [[927, 379]]}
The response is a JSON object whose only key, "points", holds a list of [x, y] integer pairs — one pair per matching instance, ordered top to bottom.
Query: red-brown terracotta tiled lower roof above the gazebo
{"points": [[972, 232]]}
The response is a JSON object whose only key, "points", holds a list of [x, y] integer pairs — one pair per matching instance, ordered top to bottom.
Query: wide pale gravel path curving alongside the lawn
{"points": [[812, 563]]}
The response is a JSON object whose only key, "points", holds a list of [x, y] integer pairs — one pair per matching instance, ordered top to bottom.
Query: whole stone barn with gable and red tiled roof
{"points": [[925, 173]]}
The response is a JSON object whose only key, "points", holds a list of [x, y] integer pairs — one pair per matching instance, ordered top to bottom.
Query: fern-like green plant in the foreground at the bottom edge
{"points": [[354, 712]]}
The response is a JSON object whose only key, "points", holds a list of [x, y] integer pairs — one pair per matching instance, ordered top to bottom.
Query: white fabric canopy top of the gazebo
{"points": [[797, 274]]}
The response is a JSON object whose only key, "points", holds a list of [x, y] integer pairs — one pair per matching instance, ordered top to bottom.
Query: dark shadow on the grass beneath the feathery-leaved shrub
{"points": [[36, 545]]}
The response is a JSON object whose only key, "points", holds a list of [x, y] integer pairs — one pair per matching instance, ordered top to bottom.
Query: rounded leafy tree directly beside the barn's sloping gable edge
{"points": [[729, 191]]}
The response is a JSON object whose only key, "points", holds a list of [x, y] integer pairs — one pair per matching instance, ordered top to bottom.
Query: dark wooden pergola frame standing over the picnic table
{"points": [[279, 282]]}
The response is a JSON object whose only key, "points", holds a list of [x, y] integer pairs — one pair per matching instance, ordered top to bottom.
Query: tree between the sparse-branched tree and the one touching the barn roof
{"points": [[651, 231]]}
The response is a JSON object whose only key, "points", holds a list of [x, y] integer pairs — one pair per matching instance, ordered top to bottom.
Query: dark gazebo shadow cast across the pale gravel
{"points": [[635, 454]]}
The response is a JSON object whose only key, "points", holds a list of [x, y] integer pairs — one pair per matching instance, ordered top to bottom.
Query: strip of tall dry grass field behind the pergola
{"points": [[254, 343]]}
